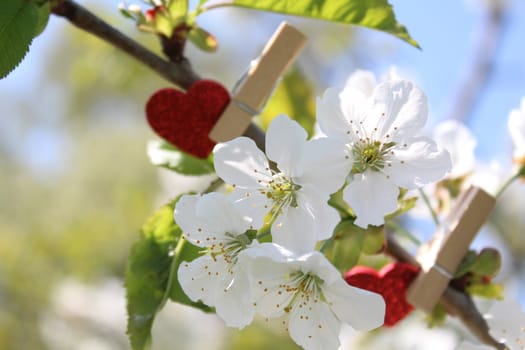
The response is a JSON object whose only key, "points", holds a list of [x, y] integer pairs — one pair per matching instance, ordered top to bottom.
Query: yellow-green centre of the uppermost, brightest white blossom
{"points": [[370, 155]]}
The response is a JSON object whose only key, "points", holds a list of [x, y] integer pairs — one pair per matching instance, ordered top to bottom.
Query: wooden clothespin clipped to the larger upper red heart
{"points": [[254, 89]]}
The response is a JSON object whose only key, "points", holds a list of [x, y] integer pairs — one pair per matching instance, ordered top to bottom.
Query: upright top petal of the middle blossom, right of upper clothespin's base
{"points": [[285, 141]]}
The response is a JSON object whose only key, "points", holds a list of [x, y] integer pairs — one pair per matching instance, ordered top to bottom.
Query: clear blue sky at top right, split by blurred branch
{"points": [[446, 30]]}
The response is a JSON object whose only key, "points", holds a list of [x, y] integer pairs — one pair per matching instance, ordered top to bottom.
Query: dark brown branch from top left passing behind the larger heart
{"points": [[179, 73]]}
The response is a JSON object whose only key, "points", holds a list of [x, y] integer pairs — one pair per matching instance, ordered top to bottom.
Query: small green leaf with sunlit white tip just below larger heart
{"points": [[164, 154]]}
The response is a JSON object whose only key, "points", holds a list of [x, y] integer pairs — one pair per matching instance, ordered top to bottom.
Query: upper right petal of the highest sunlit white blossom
{"points": [[399, 110]]}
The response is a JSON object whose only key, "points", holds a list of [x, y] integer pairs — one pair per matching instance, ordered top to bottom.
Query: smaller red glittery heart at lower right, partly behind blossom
{"points": [[391, 282]]}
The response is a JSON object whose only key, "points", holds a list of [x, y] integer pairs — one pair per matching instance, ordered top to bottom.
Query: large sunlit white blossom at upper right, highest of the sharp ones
{"points": [[385, 153]]}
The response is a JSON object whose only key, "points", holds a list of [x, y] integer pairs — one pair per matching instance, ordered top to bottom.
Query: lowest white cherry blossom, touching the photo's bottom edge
{"points": [[310, 292]]}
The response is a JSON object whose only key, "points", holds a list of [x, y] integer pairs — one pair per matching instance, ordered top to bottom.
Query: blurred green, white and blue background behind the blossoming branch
{"points": [[76, 184]]}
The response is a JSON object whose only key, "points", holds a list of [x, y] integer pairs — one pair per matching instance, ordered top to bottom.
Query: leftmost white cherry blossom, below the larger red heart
{"points": [[213, 222]]}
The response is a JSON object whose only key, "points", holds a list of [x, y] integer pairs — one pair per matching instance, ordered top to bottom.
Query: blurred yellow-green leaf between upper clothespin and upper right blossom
{"points": [[295, 97]]}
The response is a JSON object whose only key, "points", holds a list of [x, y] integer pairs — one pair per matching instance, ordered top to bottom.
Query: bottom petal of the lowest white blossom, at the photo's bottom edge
{"points": [[314, 326]]}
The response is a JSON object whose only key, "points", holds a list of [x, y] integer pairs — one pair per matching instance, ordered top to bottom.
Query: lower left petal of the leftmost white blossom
{"points": [[201, 278]]}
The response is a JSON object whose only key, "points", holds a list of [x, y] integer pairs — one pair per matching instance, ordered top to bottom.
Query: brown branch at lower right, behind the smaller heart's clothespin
{"points": [[457, 303]]}
